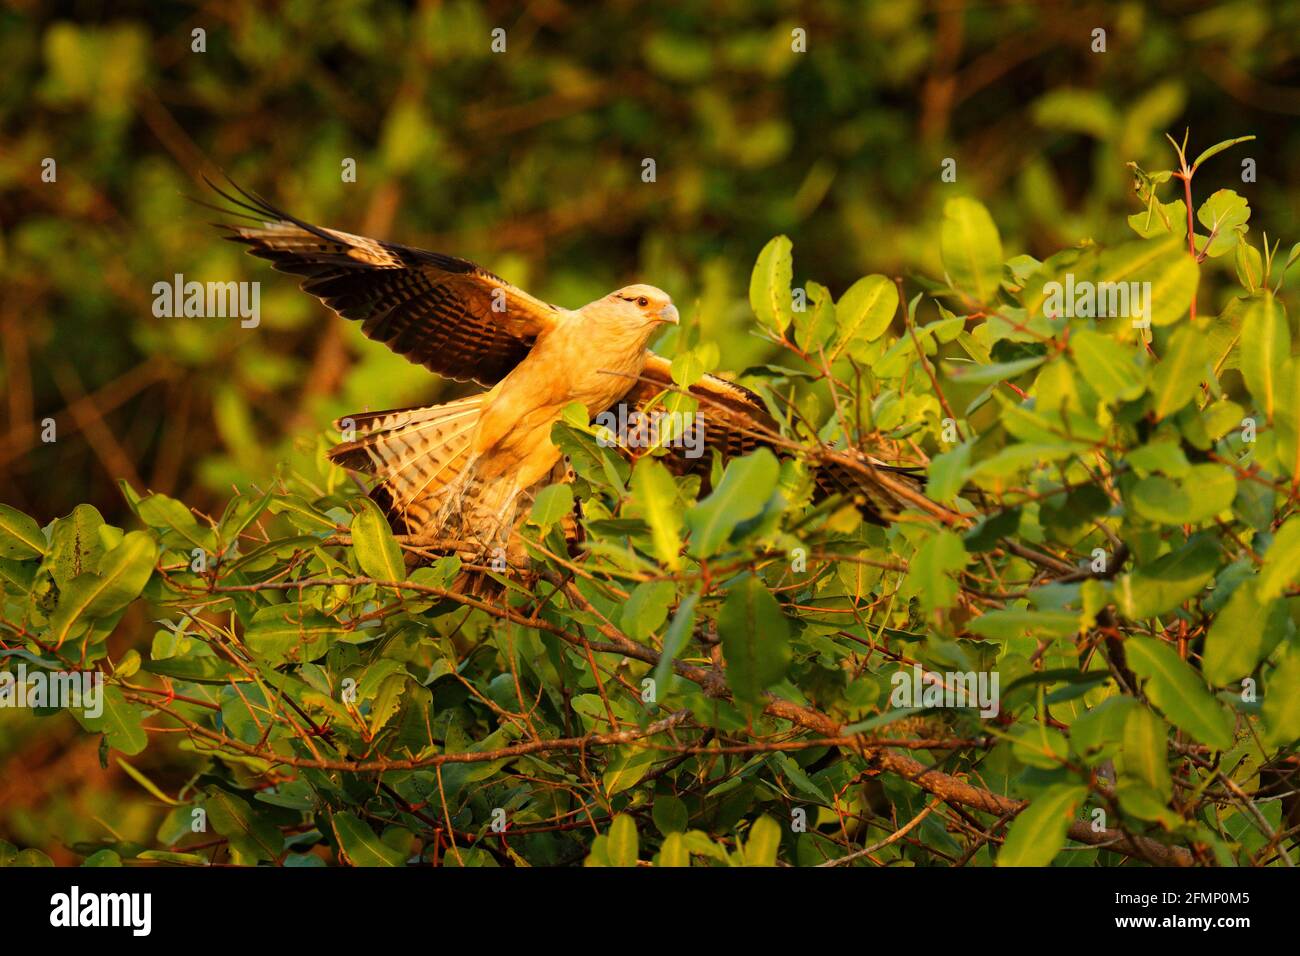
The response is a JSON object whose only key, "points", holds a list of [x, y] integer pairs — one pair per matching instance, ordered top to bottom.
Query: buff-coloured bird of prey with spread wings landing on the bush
{"points": [[460, 473]]}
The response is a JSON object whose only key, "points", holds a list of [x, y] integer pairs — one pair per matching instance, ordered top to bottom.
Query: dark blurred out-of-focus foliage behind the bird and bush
{"points": [[531, 163]]}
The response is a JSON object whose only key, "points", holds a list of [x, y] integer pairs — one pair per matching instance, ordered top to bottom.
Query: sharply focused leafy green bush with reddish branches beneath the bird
{"points": [[1110, 525]]}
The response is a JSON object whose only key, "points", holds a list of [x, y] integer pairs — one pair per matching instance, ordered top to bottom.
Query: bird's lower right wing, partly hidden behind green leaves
{"points": [[736, 423]]}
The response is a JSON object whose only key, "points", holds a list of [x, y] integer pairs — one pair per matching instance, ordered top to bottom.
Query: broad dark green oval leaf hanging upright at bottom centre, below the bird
{"points": [[756, 639]]}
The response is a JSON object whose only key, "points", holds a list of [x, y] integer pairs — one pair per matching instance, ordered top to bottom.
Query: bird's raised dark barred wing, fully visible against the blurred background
{"points": [[447, 314]]}
